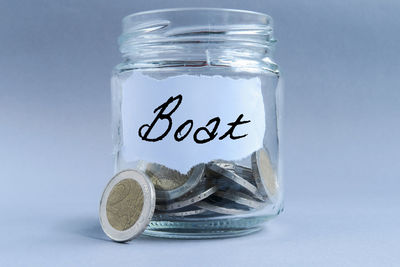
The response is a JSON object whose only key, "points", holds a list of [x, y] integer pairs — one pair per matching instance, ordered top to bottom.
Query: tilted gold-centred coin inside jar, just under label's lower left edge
{"points": [[171, 184]]}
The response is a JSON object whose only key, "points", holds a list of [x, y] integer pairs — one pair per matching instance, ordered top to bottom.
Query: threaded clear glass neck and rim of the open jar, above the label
{"points": [[209, 37]]}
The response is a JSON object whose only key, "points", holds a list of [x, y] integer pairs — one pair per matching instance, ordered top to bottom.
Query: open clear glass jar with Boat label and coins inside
{"points": [[195, 108]]}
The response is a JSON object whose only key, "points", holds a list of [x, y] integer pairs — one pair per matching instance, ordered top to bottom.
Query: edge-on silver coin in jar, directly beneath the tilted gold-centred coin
{"points": [[189, 199]]}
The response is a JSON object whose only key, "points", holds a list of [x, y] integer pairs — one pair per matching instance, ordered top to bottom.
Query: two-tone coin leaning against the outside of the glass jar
{"points": [[127, 205]]}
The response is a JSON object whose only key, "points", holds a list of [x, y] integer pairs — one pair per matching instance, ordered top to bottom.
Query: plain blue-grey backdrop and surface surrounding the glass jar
{"points": [[341, 65]]}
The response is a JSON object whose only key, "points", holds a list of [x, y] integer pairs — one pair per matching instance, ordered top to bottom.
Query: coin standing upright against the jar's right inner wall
{"points": [[265, 175]]}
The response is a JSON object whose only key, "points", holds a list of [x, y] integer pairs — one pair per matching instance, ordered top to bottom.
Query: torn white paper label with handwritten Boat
{"points": [[235, 105]]}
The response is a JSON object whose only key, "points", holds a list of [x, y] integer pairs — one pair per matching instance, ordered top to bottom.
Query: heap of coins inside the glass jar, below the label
{"points": [[217, 188]]}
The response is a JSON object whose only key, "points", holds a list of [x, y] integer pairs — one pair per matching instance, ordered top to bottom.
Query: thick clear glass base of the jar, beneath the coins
{"points": [[206, 228]]}
